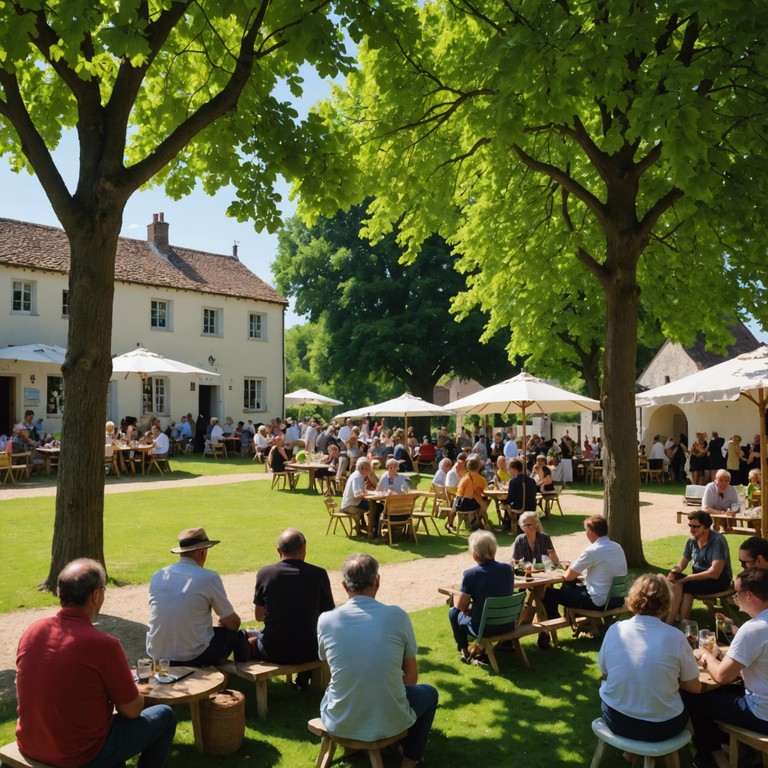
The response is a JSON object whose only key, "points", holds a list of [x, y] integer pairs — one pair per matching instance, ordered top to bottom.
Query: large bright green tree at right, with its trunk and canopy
{"points": [[603, 153]]}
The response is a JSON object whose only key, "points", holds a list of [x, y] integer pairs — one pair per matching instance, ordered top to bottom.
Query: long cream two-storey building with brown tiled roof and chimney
{"points": [[204, 309]]}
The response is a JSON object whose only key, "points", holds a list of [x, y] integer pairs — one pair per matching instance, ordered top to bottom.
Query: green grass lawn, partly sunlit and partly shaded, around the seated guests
{"points": [[537, 716]]}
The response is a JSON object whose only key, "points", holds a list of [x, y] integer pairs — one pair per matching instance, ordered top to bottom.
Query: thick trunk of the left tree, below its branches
{"points": [[79, 523]]}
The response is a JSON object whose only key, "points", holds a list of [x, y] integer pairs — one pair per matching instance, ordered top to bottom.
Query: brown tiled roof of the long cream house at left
{"points": [[36, 246]]}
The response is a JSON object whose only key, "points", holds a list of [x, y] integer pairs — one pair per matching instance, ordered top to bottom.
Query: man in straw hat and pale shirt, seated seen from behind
{"points": [[181, 597]]}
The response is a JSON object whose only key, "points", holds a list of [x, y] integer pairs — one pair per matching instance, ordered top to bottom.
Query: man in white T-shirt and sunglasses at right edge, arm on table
{"points": [[747, 705]]}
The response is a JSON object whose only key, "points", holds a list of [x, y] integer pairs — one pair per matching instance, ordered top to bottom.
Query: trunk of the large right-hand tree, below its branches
{"points": [[621, 472]]}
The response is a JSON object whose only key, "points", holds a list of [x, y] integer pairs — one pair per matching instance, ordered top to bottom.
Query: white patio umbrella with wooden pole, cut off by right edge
{"points": [[743, 376]]}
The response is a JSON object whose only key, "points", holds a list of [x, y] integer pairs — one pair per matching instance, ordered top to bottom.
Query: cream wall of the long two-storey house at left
{"points": [[236, 356]]}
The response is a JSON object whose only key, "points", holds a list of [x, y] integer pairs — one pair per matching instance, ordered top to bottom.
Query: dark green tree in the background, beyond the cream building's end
{"points": [[383, 319]]}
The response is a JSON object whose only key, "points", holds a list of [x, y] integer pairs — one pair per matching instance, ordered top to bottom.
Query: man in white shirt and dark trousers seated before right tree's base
{"points": [[599, 562]]}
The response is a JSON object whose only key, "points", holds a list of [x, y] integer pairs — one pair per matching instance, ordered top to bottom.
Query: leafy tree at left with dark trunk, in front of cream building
{"points": [[173, 92]]}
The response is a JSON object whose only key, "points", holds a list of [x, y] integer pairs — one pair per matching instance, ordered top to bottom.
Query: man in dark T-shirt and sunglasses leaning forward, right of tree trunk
{"points": [[708, 550]]}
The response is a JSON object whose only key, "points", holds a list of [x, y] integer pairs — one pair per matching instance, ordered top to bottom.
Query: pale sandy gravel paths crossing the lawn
{"points": [[411, 585]]}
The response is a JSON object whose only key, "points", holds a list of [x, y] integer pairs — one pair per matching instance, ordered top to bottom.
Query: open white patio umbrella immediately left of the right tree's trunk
{"points": [[522, 394]]}
